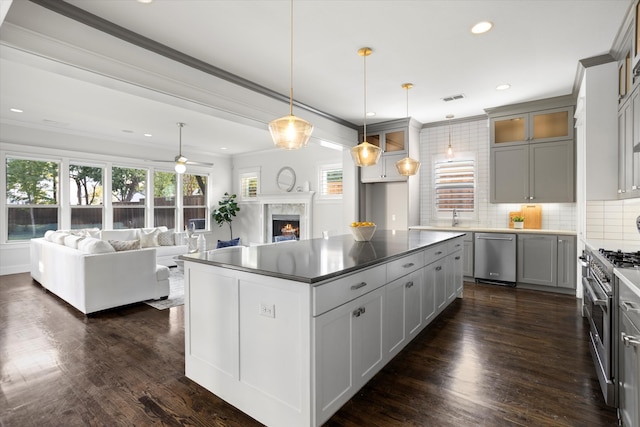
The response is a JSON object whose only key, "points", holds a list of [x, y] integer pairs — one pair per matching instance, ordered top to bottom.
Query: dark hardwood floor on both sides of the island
{"points": [[498, 357]]}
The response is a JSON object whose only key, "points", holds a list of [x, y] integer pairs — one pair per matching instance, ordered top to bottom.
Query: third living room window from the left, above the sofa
{"points": [[128, 188]]}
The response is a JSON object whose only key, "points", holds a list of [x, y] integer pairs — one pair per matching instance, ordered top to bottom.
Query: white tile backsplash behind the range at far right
{"points": [[613, 220]]}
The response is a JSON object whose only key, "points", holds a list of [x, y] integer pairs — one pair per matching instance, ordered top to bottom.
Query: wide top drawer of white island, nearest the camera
{"points": [[332, 294]]}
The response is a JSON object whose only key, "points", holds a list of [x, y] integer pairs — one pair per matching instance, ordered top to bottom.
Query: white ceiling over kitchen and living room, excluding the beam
{"points": [[534, 46]]}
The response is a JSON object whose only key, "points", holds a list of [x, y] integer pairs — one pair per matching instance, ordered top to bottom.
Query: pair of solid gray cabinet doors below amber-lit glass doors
{"points": [[542, 173]]}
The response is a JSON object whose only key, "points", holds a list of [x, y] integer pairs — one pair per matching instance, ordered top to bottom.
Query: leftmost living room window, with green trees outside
{"points": [[32, 198]]}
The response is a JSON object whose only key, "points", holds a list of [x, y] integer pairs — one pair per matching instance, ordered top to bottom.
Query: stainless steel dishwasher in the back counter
{"points": [[495, 258]]}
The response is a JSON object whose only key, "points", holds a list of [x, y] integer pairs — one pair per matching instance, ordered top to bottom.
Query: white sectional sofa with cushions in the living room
{"points": [[89, 274]]}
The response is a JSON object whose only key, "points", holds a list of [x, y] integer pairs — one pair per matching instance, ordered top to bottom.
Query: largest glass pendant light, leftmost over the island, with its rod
{"points": [[290, 132]]}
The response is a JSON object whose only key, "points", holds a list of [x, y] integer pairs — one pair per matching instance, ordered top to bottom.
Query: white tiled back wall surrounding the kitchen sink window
{"points": [[473, 137]]}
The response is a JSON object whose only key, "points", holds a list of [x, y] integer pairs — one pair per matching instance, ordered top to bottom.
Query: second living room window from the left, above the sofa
{"points": [[85, 196]]}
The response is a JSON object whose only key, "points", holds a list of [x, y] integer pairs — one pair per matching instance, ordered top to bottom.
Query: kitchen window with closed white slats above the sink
{"points": [[454, 186]]}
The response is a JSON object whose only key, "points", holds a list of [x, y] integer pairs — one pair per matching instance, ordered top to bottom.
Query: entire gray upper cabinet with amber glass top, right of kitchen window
{"points": [[532, 155]]}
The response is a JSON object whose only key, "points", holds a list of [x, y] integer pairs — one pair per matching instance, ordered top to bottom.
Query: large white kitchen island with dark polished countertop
{"points": [[289, 332]]}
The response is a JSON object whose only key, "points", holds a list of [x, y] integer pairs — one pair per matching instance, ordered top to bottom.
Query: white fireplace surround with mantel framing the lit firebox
{"points": [[296, 202]]}
